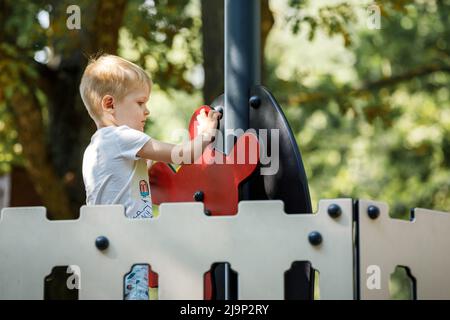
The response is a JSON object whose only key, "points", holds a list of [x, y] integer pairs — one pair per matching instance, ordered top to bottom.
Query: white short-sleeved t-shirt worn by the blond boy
{"points": [[113, 174]]}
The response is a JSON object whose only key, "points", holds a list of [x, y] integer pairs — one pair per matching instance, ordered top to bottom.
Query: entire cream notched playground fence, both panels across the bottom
{"points": [[260, 243]]}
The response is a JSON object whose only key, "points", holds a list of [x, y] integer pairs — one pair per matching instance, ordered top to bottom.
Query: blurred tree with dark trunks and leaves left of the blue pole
{"points": [[43, 124]]}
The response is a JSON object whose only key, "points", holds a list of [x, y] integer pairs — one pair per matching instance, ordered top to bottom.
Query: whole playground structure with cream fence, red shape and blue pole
{"points": [[251, 237]]}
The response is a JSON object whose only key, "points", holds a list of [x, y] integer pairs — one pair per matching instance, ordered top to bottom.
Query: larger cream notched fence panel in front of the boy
{"points": [[180, 245]]}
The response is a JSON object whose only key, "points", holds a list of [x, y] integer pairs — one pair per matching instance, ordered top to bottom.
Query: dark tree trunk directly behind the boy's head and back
{"points": [[70, 125]]}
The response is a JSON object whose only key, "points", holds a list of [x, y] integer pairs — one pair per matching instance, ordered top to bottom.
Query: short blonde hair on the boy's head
{"points": [[109, 74]]}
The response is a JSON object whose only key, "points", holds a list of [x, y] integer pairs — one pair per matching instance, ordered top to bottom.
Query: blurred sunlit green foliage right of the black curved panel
{"points": [[382, 133]]}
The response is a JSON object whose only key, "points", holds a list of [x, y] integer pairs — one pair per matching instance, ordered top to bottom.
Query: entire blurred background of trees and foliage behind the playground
{"points": [[369, 103]]}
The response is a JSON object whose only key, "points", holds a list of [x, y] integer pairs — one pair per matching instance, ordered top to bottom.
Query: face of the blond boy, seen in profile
{"points": [[132, 109]]}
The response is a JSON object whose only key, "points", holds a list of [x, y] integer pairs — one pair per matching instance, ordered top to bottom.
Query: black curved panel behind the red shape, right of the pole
{"points": [[288, 184]]}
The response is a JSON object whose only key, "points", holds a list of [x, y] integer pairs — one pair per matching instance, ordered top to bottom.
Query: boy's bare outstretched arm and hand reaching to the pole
{"points": [[162, 151]]}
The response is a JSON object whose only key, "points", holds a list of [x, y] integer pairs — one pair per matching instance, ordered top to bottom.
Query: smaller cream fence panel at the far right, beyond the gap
{"points": [[422, 245]]}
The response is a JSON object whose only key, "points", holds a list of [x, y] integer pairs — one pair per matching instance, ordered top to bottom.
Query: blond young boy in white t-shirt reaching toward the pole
{"points": [[115, 93]]}
